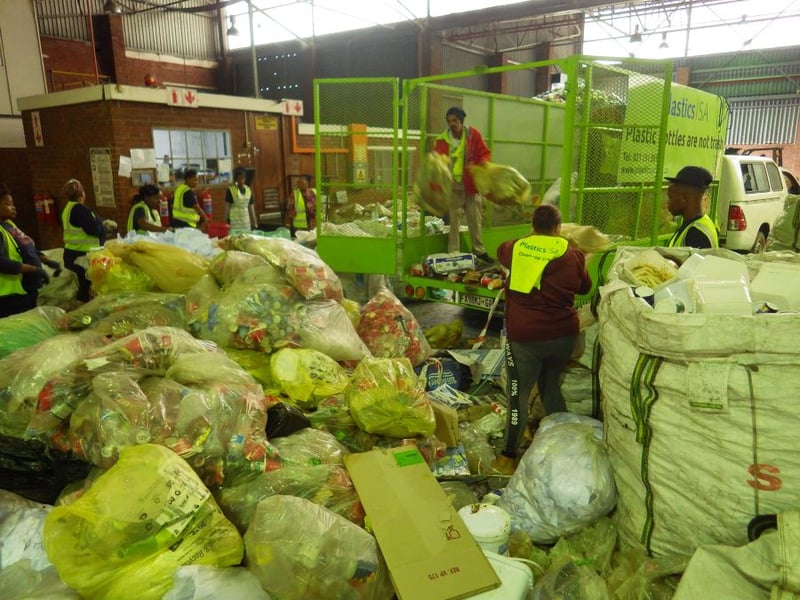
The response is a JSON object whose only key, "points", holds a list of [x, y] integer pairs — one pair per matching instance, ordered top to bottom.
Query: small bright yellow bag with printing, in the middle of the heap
{"points": [[307, 376]]}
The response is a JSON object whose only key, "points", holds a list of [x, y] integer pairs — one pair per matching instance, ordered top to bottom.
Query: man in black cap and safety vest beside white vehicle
{"points": [[685, 199]]}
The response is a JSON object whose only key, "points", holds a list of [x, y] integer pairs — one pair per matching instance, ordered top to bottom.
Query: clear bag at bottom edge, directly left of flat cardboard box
{"points": [[299, 550]]}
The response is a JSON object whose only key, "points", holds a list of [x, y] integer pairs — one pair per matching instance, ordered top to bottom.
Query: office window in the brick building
{"points": [[206, 151]]}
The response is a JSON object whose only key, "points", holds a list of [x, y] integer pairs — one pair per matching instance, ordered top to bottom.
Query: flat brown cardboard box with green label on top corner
{"points": [[428, 549]]}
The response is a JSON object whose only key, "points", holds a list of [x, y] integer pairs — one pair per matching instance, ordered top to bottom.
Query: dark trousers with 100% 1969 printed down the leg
{"points": [[530, 363]]}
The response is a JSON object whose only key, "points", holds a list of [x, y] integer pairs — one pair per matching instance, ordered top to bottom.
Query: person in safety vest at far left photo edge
{"points": [[21, 273]]}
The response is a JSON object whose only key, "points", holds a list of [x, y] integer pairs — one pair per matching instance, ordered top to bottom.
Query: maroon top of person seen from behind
{"points": [[549, 312]]}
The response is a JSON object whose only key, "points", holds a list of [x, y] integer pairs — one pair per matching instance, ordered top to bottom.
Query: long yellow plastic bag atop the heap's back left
{"points": [[172, 268]]}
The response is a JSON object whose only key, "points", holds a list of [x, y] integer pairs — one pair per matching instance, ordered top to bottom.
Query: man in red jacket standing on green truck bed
{"points": [[465, 147]]}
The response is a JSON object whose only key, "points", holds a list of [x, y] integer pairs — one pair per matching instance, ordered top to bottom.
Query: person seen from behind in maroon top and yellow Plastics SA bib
{"points": [[546, 272]]}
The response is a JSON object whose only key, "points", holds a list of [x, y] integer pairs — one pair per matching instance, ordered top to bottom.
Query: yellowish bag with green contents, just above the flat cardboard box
{"points": [[386, 397]]}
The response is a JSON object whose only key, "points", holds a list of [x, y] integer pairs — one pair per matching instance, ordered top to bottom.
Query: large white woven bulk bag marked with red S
{"points": [[701, 413]]}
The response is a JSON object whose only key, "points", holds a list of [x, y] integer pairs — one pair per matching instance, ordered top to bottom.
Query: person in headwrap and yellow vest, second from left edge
{"points": [[83, 231]]}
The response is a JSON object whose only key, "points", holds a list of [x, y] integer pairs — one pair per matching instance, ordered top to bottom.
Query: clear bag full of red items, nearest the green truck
{"points": [[390, 330]]}
